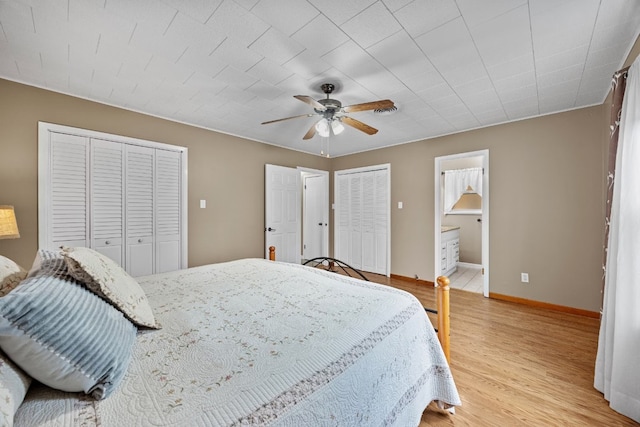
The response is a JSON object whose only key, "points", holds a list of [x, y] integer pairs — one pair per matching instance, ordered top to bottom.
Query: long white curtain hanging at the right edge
{"points": [[617, 371]]}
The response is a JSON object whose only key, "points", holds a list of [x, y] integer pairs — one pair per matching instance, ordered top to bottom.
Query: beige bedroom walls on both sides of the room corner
{"points": [[546, 184]]}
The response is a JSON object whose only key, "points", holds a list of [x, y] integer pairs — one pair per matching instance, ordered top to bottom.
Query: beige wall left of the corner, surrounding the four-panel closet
{"points": [[226, 171]]}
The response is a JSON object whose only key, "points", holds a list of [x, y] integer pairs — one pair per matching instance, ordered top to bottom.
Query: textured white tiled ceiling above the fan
{"points": [[228, 65]]}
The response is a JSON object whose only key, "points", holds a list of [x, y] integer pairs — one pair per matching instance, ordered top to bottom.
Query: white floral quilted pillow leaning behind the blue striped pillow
{"points": [[107, 279]]}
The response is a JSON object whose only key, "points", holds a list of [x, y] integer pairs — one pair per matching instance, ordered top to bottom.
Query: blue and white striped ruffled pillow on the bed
{"points": [[63, 335]]}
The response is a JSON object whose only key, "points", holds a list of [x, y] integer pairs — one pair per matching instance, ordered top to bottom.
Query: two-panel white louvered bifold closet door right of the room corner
{"points": [[362, 214]]}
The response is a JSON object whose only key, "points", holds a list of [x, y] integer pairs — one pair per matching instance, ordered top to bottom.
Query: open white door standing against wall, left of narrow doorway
{"points": [[282, 212]]}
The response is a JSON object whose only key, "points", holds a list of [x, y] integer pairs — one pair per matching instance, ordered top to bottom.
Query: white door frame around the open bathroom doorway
{"points": [[485, 212]]}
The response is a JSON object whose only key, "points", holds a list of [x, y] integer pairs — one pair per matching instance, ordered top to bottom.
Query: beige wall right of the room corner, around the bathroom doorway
{"points": [[546, 187]]}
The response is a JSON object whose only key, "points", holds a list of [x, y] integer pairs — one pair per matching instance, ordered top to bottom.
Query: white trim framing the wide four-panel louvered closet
{"points": [[44, 166]]}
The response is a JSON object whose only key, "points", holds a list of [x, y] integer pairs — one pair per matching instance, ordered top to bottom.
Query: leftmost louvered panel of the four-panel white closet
{"points": [[68, 222]]}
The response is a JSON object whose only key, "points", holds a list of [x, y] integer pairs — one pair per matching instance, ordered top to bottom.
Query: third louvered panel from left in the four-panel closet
{"points": [[139, 209]]}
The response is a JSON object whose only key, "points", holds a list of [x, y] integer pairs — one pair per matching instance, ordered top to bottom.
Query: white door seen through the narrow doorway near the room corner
{"points": [[314, 211]]}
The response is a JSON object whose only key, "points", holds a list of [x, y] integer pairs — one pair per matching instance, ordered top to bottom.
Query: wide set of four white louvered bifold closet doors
{"points": [[124, 200]]}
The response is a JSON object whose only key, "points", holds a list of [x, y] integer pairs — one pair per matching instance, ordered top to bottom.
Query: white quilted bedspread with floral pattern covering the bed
{"points": [[254, 342]]}
